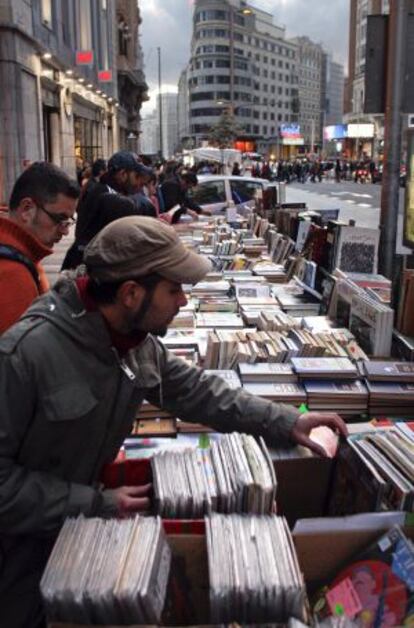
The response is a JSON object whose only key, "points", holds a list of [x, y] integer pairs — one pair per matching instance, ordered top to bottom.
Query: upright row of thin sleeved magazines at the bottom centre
{"points": [[253, 569]]}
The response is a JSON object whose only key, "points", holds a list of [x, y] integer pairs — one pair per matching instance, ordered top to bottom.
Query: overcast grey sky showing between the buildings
{"points": [[168, 24]]}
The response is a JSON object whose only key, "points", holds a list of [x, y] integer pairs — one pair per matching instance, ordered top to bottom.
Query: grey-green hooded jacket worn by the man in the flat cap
{"points": [[68, 402]]}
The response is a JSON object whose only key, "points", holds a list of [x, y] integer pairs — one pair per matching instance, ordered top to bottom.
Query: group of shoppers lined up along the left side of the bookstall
{"points": [[77, 360]]}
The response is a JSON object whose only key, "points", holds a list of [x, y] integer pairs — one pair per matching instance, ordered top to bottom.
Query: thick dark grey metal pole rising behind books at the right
{"points": [[397, 37]]}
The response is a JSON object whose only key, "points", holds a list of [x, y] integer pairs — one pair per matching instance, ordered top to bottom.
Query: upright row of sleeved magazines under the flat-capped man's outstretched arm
{"points": [[234, 475]]}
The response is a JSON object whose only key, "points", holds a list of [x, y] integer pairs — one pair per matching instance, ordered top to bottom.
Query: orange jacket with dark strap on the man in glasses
{"points": [[17, 287]]}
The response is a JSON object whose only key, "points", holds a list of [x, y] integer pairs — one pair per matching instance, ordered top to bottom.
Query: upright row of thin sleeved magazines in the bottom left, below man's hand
{"points": [[107, 572]]}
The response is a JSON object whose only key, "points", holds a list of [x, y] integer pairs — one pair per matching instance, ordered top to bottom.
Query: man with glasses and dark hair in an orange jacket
{"points": [[41, 209]]}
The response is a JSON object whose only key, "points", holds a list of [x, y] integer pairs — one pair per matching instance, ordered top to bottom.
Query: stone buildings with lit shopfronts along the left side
{"points": [[53, 109]]}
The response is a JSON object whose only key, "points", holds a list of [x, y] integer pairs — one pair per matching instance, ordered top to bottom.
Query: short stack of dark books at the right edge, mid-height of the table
{"points": [[391, 388]]}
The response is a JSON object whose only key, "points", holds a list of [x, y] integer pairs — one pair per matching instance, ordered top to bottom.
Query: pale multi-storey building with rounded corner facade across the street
{"points": [[240, 61]]}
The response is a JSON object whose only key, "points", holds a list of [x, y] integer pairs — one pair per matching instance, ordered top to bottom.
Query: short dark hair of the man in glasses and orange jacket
{"points": [[43, 182]]}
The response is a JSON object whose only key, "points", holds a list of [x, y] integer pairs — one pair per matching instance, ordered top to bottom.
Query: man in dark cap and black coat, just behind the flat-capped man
{"points": [[107, 200]]}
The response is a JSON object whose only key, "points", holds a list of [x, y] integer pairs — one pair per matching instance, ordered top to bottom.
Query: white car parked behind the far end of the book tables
{"points": [[214, 192]]}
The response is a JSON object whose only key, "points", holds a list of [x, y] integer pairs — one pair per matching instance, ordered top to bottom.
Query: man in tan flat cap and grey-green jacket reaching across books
{"points": [[73, 372]]}
